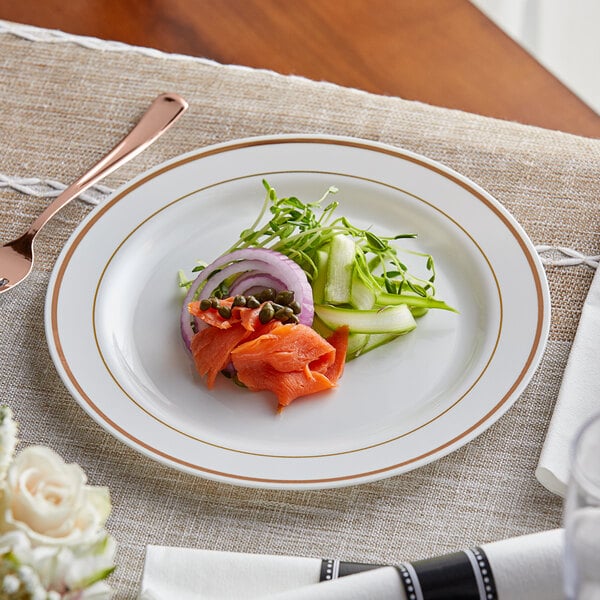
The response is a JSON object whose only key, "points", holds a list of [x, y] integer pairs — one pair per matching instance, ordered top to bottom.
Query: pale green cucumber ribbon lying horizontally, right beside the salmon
{"points": [[390, 319]]}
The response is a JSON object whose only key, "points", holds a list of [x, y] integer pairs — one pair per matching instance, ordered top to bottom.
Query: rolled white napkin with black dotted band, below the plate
{"points": [[526, 567]]}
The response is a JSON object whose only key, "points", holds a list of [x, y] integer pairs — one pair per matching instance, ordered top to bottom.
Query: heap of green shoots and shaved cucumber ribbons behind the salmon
{"points": [[356, 275]]}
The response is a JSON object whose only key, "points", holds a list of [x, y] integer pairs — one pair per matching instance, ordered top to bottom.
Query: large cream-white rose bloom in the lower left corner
{"points": [[49, 500]]}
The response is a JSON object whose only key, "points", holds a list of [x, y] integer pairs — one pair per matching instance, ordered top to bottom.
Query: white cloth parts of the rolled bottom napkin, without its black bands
{"points": [[524, 568]]}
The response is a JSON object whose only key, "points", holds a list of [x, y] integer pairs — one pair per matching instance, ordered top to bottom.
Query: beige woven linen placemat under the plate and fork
{"points": [[64, 101]]}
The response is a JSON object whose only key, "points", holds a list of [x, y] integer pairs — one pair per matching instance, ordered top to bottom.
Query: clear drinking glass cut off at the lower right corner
{"points": [[582, 516]]}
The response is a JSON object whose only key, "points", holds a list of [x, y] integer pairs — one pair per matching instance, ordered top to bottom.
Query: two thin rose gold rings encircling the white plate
{"points": [[315, 140]]}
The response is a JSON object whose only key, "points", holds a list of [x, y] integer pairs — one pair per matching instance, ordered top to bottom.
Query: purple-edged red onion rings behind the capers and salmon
{"points": [[249, 262]]}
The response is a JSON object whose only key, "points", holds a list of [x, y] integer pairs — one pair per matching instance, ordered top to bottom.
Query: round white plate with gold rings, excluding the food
{"points": [[113, 304]]}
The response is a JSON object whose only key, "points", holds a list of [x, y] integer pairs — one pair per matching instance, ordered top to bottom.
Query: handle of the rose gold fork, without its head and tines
{"points": [[161, 114]]}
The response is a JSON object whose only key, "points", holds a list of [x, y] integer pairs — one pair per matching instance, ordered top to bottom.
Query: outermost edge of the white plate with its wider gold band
{"points": [[496, 411]]}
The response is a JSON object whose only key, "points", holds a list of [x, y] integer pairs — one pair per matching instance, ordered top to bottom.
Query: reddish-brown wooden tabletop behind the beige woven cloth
{"points": [[442, 52]]}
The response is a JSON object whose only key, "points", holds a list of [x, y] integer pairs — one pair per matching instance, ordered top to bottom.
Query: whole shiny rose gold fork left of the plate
{"points": [[16, 257]]}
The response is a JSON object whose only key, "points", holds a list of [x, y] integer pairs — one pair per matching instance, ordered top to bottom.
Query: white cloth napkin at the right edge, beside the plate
{"points": [[578, 398]]}
